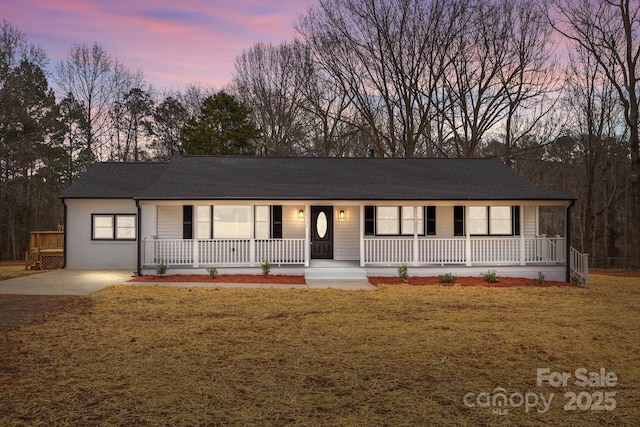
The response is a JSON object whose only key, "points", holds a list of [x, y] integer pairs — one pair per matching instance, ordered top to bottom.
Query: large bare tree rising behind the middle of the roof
{"points": [[383, 55]]}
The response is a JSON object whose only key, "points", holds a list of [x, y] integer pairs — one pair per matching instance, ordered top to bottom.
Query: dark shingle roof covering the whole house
{"points": [[309, 178]]}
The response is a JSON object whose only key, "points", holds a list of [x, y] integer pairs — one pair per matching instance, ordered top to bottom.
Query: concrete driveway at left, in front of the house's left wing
{"points": [[64, 282]]}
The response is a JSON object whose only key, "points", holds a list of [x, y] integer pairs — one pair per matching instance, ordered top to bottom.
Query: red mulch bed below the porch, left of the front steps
{"points": [[225, 278]]}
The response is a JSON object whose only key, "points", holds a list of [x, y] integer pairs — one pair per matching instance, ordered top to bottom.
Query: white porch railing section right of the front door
{"points": [[482, 250]]}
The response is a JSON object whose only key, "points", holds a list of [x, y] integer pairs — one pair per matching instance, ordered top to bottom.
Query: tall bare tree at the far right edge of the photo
{"points": [[610, 31]]}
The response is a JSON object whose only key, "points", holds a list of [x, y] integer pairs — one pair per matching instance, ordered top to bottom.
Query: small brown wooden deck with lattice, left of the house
{"points": [[46, 250]]}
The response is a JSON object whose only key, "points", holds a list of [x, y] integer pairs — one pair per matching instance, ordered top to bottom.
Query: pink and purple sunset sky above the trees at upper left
{"points": [[173, 43]]}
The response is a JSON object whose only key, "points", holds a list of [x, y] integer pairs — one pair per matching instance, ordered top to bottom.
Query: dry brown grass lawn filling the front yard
{"points": [[402, 355]]}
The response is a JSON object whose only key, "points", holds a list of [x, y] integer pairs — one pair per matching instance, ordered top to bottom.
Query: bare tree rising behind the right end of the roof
{"points": [[500, 71]]}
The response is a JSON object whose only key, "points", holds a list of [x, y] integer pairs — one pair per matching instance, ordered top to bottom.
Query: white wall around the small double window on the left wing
{"points": [[84, 253]]}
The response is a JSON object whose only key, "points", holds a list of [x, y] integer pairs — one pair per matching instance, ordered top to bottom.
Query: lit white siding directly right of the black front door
{"points": [[346, 234]]}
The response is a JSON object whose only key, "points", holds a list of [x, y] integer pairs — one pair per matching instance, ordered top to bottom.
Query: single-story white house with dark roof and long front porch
{"points": [[363, 215]]}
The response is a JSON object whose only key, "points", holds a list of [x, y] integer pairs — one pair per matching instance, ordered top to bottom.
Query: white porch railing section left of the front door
{"points": [[222, 252]]}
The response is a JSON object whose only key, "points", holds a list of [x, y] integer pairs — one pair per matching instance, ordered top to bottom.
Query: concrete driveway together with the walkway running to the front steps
{"points": [[85, 282]]}
